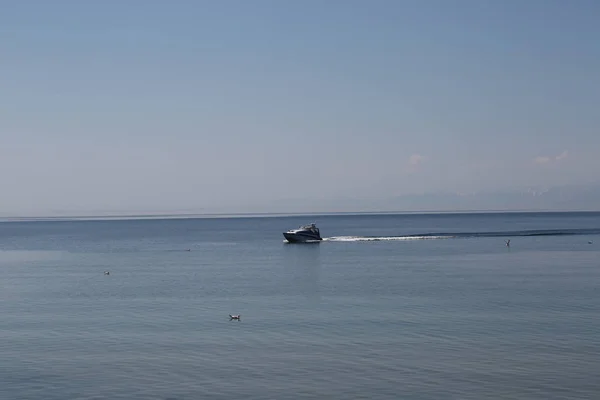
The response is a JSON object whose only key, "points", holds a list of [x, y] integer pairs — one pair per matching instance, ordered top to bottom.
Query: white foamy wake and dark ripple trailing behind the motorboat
{"points": [[464, 235]]}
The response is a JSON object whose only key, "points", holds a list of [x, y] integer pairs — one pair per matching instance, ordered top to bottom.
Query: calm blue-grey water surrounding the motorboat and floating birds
{"points": [[431, 306]]}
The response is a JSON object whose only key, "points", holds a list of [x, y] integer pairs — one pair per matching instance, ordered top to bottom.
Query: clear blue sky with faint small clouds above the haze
{"points": [[264, 106]]}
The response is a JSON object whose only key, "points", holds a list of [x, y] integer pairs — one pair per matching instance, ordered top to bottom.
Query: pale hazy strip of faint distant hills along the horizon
{"points": [[561, 199]]}
